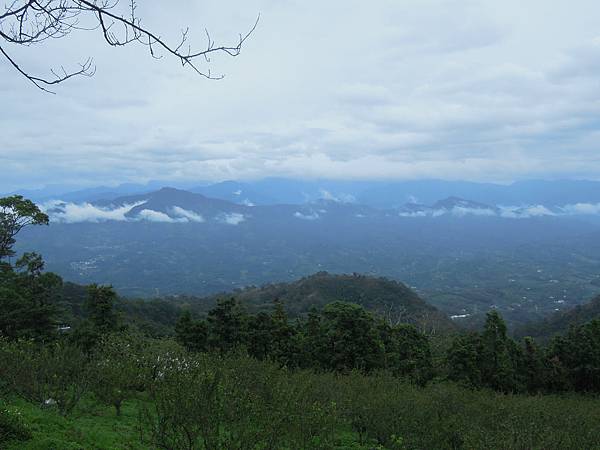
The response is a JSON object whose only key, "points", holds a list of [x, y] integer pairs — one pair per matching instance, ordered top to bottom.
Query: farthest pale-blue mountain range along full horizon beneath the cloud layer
{"points": [[378, 194]]}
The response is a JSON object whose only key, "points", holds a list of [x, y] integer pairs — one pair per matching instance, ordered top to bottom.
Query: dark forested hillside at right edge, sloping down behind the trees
{"points": [[561, 321]]}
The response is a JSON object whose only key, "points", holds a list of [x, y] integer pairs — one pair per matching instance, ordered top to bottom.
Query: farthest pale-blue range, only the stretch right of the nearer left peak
{"points": [[396, 194]]}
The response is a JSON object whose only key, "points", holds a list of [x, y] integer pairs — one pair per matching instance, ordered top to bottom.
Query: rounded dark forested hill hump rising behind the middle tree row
{"points": [[387, 298]]}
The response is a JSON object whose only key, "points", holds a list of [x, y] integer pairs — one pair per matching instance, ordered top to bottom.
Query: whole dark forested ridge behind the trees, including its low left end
{"points": [[390, 299]]}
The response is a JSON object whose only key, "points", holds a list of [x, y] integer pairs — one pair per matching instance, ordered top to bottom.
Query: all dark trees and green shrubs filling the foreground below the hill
{"points": [[338, 377]]}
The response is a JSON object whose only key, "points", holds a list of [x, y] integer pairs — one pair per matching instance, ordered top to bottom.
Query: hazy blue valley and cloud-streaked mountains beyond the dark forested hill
{"points": [[463, 255]]}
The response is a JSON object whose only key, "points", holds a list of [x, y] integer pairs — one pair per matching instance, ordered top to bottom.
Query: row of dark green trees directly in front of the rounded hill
{"points": [[342, 337]]}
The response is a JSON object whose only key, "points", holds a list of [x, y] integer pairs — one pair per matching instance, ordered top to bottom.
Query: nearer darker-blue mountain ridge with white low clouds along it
{"points": [[172, 205]]}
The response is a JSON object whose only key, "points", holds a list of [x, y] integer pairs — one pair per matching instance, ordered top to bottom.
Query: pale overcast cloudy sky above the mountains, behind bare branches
{"points": [[386, 89]]}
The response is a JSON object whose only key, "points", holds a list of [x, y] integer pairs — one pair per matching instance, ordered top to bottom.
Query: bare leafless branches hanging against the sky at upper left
{"points": [[24, 23]]}
